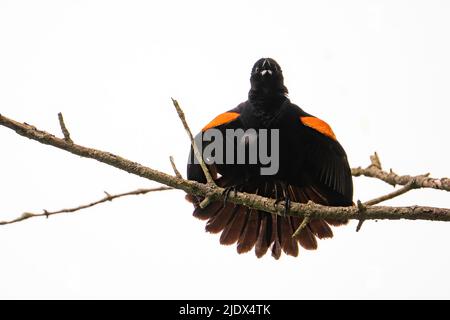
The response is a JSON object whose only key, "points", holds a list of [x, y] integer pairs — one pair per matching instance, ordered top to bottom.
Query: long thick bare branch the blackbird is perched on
{"points": [[313, 211]]}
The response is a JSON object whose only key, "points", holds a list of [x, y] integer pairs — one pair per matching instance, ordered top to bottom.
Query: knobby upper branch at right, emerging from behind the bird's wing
{"points": [[422, 181]]}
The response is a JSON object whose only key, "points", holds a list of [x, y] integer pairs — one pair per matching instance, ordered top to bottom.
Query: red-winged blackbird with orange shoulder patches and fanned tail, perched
{"points": [[312, 165]]}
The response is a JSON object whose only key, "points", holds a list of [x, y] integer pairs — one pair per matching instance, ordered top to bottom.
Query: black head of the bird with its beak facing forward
{"points": [[267, 77]]}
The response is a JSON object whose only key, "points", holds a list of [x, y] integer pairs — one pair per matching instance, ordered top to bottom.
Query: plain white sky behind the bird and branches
{"points": [[377, 71]]}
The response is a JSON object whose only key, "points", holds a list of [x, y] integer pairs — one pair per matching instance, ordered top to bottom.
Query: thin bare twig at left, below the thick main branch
{"points": [[108, 197]]}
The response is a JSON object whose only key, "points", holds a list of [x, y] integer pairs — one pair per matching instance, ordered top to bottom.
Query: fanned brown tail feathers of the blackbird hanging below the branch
{"points": [[251, 228]]}
